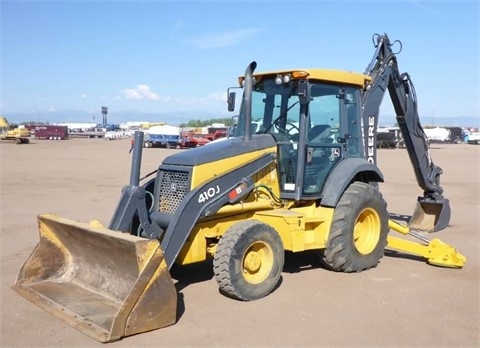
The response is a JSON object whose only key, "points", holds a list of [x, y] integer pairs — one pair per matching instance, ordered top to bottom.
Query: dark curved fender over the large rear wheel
{"points": [[347, 171]]}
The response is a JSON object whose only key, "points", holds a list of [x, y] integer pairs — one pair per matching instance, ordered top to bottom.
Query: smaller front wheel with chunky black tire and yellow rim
{"points": [[249, 260]]}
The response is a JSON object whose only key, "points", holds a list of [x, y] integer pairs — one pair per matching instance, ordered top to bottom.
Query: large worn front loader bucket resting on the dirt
{"points": [[104, 283]]}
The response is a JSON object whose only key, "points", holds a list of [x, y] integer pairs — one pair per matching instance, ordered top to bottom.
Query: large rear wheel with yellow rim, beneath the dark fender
{"points": [[359, 230]]}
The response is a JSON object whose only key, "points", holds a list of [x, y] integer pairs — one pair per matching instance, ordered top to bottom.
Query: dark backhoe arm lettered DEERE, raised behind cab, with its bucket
{"points": [[385, 75]]}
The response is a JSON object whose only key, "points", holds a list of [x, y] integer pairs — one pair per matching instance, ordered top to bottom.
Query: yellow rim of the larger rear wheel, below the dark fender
{"points": [[367, 231]]}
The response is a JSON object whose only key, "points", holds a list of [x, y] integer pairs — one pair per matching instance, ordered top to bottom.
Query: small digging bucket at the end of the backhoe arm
{"points": [[430, 215]]}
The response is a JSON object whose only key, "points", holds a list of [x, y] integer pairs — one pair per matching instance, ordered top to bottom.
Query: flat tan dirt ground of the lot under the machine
{"points": [[404, 302]]}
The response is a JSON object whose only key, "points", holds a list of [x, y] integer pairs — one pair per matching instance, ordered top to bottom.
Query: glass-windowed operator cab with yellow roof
{"points": [[314, 121]]}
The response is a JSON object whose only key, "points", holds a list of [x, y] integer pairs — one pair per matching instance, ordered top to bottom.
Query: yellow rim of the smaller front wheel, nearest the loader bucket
{"points": [[257, 262]]}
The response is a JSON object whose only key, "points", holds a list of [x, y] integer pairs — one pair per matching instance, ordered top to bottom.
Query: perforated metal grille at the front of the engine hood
{"points": [[173, 186]]}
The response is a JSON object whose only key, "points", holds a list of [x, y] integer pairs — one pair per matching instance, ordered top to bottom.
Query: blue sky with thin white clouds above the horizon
{"points": [[171, 59]]}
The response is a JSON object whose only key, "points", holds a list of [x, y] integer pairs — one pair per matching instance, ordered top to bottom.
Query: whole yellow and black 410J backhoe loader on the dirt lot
{"points": [[307, 179]]}
